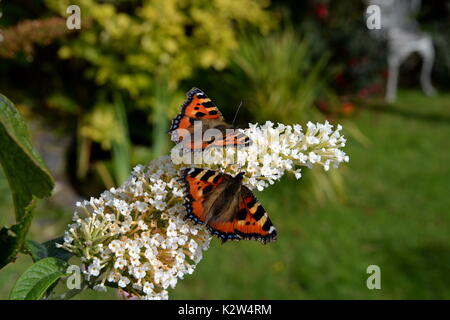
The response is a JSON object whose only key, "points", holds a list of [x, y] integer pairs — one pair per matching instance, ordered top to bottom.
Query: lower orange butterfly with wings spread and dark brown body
{"points": [[228, 208]]}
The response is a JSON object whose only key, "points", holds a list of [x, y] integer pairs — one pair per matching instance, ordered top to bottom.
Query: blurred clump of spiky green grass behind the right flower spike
{"points": [[281, 76]]}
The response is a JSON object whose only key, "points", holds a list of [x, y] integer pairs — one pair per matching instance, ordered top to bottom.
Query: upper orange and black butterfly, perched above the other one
{"points": [[198, 107]]}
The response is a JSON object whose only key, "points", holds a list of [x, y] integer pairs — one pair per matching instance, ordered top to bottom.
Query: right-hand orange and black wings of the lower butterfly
{"points": [[250, 222]]}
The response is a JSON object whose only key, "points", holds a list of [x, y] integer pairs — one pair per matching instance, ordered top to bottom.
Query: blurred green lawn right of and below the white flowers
{"points": [[396, 216]]}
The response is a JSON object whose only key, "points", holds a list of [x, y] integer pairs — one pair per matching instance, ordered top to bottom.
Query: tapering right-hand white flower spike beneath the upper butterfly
{"points": [[274, 150]]}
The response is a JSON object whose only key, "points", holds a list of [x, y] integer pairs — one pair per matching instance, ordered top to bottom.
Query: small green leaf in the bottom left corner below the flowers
{"points": [[35, 281]]}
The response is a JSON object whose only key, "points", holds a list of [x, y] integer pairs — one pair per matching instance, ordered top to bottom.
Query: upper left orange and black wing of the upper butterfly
{"points": [[197, 106]]}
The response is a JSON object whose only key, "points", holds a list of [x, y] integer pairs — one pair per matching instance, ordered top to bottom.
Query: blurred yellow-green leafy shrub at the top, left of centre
{"points": [[132, 45]]}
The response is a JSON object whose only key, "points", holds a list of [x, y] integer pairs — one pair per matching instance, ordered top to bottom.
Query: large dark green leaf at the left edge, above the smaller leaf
{"points": [[27, 175]]}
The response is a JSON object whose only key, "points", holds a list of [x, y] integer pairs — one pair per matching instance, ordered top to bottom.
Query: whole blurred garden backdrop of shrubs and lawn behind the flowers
{"points": [[99, 100]]}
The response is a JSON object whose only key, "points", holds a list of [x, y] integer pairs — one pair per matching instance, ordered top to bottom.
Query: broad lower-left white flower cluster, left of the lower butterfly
{"points": [[135, 237]]}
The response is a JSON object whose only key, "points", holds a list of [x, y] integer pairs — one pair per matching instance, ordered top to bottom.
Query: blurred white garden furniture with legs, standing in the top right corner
{"points": [[404, 37]]}
